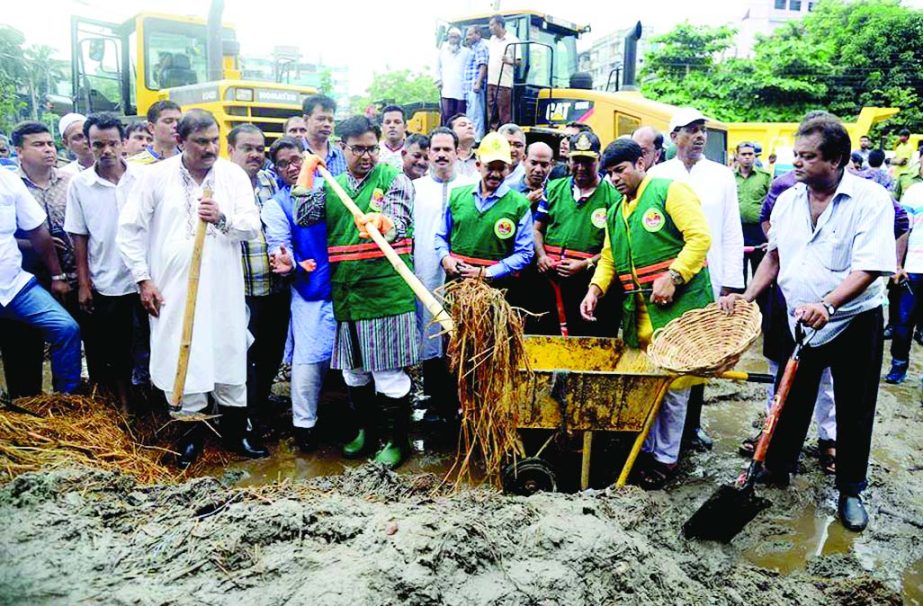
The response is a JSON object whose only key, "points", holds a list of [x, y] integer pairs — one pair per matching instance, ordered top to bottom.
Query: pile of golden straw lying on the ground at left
{"points": [[79, 430]]}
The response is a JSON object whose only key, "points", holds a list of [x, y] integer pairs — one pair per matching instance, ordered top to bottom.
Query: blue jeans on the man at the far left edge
{"points": [[33, 305]]}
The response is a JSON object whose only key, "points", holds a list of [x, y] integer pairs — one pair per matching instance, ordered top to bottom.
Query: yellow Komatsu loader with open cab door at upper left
{"points": [[126, 67]]}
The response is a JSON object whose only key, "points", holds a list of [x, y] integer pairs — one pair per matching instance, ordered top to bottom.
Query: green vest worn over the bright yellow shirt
{"points": [[643, 247]]}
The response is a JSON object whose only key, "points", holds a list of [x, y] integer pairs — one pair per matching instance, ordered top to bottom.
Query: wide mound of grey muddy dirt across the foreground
{"points": [[372, 537]]}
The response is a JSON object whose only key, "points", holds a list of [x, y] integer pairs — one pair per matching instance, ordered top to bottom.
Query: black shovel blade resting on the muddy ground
{"points": [[724, 514]]}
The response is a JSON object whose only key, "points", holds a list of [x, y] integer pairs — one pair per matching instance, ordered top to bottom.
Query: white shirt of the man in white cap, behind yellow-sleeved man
{"points": [[715, 185]]}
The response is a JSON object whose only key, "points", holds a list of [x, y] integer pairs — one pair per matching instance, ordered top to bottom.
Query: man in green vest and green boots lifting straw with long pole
{"points": [[374, 308]]}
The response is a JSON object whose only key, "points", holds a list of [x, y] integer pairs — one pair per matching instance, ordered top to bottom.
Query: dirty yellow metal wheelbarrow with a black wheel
{"points": [[587, 384]]}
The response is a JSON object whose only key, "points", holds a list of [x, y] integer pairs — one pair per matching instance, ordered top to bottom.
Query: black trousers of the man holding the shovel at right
{"points": [[854, 358]]}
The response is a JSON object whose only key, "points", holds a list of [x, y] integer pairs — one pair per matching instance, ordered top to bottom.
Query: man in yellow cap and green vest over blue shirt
{"points": [[487, 229]]}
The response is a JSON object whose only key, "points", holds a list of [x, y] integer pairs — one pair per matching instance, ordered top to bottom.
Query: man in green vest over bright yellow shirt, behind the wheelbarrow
{"points": [[656, 242]]}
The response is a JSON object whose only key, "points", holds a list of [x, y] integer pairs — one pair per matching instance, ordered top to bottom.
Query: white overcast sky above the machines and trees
{"points": [[366, 36]]}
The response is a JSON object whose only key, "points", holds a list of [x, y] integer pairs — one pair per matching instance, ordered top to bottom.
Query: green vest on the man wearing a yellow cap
{"points": [[483, 238]]}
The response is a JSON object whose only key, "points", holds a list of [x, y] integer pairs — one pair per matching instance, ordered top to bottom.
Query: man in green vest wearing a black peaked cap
{"points": [[569, 231]]}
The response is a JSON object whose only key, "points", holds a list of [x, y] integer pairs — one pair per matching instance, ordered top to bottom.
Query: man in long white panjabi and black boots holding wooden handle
{"points": [[156, 233]]}
